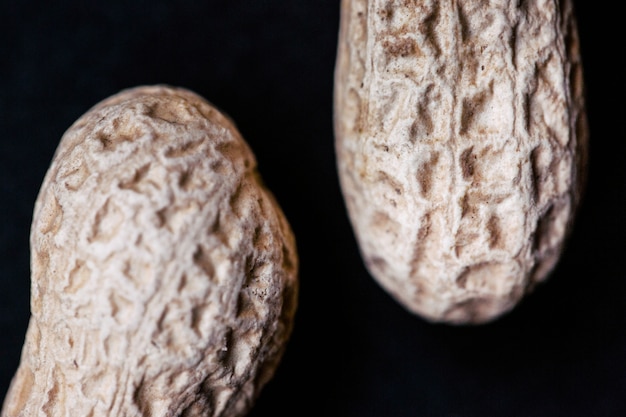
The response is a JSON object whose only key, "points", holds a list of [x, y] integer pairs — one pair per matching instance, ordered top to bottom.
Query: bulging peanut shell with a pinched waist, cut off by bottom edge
{"points": [[164, 274]]}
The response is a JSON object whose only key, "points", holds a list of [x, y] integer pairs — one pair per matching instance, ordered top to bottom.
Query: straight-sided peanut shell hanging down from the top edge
{"points": [[461, 142]]}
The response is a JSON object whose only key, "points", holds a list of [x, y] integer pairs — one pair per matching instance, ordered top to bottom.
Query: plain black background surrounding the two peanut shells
{"points": [[354, 351]]}
